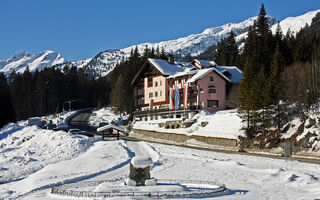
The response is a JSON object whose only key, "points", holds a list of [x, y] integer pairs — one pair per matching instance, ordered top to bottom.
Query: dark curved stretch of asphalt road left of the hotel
{"points": [[81, 121]]}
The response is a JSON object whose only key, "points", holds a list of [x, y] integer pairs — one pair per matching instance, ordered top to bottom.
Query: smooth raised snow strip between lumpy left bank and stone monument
{"points": [[101, 158]]}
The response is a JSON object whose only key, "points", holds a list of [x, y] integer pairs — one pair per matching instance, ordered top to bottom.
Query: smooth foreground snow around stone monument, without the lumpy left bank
{"points": [[247, 177]]}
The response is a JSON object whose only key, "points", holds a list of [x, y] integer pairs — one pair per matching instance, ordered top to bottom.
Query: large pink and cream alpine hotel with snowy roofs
{"points": [[167, 88]]}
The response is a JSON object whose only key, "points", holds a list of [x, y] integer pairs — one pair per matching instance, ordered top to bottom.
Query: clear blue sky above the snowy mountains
{"points": [[80, 29]]}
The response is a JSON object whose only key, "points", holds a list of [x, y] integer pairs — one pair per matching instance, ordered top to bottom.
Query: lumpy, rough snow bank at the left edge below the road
{"points": [[25, 150]]}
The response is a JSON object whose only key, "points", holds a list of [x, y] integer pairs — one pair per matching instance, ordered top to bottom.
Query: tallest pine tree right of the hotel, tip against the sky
{"points": [[254, 108]]}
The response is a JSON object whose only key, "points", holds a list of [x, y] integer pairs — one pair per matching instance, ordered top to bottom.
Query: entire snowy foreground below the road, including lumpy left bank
{"points": [[53, 158]]}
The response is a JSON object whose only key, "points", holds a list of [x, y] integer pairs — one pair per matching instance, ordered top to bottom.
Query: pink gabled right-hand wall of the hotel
{"points": [[220, 94]]}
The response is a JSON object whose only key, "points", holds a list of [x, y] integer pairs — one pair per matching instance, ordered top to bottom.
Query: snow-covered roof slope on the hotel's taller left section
{"points": [[170, 69]]}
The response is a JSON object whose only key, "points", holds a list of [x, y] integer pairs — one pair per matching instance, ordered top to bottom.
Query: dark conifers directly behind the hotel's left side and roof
{"points": [[123, 74]]}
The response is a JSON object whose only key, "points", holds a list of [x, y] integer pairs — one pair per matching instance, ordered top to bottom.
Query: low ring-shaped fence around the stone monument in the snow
{"points": [[64, 189]]}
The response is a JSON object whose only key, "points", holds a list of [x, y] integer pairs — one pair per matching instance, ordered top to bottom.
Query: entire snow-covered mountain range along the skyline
{"points": [[103, 63]]}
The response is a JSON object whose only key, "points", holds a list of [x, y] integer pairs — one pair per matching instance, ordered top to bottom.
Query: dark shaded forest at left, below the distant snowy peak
{"points": [[47, 92]]}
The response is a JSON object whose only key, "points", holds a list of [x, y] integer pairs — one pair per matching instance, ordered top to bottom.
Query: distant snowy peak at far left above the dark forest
{"points": [[21, 61]]}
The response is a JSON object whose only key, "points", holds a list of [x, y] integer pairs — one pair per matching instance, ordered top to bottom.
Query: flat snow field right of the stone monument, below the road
{"points": [[255, 177]]}
